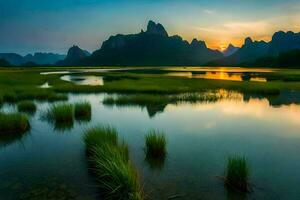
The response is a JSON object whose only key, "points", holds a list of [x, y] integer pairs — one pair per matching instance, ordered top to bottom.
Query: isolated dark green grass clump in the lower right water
{"points": [[237, 174]]}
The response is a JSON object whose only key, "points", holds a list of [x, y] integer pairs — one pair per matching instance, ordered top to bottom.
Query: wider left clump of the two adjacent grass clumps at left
{"points": [[62, 115]]}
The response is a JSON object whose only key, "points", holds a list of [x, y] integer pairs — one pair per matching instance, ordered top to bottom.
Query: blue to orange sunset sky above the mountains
{"points": [[28, 26]]}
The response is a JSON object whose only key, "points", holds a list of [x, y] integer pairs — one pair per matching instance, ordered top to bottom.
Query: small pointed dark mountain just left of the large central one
{"points": [[75, 54]]}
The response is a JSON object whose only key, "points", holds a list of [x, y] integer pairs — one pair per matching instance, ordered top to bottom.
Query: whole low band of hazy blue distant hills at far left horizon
{"points": [[38, 58]]}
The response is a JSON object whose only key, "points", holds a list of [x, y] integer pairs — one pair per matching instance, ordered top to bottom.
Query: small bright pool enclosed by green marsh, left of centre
{"points": [[84, 79]]}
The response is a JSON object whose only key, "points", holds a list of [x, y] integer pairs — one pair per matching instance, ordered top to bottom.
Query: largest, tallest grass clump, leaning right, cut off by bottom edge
{"points": [[116, 176]]}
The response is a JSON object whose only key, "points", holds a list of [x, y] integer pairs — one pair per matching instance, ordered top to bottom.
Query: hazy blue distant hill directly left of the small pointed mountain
{"points": [[44, 58]]}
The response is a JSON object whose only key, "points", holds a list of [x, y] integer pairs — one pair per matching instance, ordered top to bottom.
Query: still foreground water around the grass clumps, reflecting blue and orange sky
{"points": [[50, 163]]}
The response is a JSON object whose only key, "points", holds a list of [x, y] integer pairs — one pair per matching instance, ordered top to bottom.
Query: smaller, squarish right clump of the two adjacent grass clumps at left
{"points": [[83, 111]]}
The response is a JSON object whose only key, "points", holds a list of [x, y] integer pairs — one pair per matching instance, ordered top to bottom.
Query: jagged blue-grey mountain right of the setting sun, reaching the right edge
{"points": [[252, 51]]}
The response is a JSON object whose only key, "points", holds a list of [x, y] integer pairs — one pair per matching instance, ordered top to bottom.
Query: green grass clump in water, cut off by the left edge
{"points": [[13, 123]]}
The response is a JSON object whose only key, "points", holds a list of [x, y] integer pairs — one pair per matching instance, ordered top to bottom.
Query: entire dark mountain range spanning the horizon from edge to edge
{"points": [[155, 47]]}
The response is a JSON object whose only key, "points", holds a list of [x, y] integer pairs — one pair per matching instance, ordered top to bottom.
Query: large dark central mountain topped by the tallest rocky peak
{"points": [[151, 47]]}
